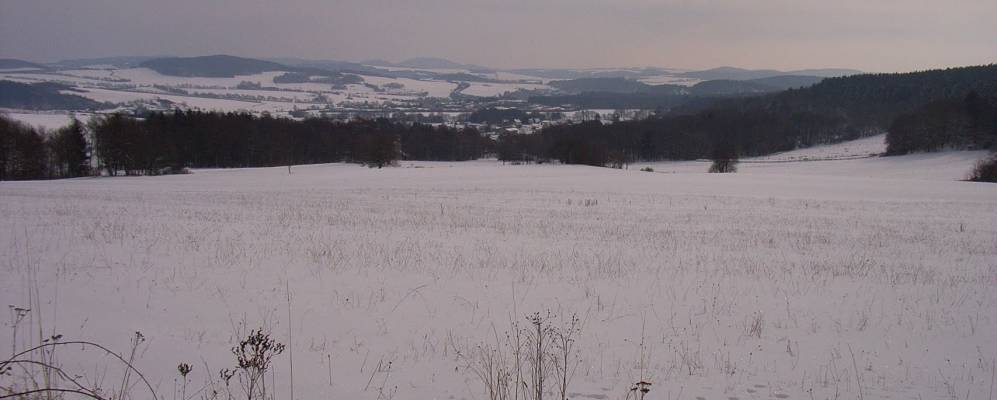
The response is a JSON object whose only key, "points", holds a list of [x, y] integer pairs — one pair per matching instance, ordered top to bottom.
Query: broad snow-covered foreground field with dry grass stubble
{"points": [[774, 285]]}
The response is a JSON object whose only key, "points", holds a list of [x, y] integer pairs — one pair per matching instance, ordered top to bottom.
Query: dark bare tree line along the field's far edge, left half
{"points": [[168, 142]]}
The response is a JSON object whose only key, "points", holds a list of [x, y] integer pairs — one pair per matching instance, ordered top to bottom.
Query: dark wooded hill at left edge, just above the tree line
{"points": [[43, 96]]}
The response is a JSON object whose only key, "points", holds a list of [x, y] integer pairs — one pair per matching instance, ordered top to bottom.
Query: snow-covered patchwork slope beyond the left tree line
{"points": [[128, 85]]}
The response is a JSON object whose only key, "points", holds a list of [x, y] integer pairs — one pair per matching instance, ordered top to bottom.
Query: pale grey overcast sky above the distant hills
{"points": [[887, 35]]}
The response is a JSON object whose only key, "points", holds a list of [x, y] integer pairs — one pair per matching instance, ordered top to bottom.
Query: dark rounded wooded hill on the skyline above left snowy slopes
{"points": [[218, 66]]}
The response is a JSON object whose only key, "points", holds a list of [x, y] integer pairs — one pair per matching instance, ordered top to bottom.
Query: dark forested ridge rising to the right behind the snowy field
{"points": [[833, 110]]}
